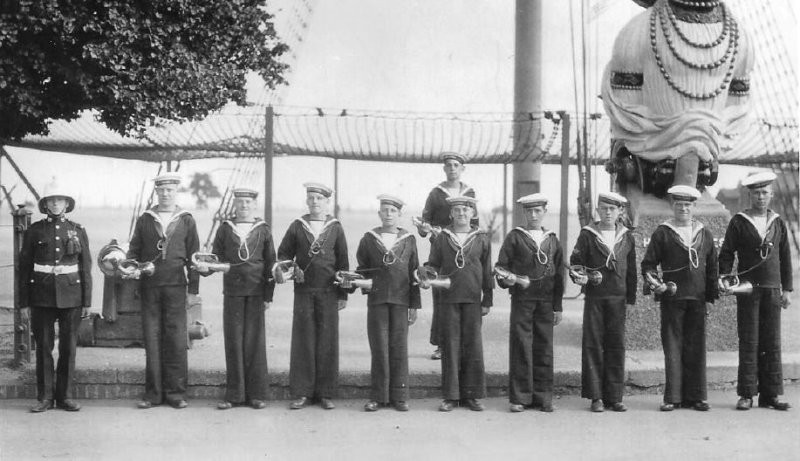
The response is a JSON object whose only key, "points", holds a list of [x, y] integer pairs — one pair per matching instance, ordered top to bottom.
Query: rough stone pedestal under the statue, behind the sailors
{"points": [[643, 326]]}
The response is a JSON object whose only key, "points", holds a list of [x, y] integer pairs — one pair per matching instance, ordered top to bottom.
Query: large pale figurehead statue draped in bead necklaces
{"points": [[676, 92]]}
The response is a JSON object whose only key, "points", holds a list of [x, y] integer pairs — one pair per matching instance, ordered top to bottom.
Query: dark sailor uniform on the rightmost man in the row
{"points": [[767, 264]]}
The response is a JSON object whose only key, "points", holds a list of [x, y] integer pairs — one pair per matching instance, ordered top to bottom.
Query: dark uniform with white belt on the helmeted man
{"points": [[55, 281]]}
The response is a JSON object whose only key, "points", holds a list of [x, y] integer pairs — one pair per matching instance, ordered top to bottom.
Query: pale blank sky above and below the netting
{"points": [[418, 55]]}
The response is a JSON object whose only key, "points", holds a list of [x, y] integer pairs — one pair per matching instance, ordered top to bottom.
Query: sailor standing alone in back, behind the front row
{"points": [[436, 216]]}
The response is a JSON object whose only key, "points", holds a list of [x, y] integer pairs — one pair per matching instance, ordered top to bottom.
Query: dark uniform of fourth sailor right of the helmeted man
{"points": [[393, 293]]}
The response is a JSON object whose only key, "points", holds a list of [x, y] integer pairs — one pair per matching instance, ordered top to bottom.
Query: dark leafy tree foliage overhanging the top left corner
{"points": [[135, 62]]}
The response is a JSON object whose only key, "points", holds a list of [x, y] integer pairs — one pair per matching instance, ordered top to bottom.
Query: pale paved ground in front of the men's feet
{"points": [[115, 430]]}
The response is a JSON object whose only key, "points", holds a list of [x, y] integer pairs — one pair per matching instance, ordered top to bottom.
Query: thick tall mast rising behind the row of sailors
{"points": [[527, 98]]}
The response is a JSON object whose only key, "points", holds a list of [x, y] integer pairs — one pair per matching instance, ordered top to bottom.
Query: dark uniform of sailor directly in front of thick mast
{"points": [[530, 376]]}
